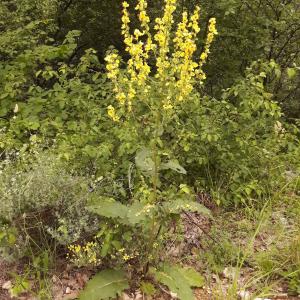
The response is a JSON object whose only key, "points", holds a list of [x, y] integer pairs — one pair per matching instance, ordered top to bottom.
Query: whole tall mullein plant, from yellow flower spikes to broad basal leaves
{"points": [[150, 87]]}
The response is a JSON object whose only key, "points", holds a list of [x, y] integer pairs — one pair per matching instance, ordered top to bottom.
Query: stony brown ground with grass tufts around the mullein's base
{"points": [[230, 248]]}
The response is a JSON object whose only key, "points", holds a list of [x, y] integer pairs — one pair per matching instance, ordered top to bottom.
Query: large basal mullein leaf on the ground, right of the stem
{"points": [[177, 280]]}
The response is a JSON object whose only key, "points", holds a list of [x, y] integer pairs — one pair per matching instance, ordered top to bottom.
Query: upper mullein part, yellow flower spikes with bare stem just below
{"points": [[160, 73]]}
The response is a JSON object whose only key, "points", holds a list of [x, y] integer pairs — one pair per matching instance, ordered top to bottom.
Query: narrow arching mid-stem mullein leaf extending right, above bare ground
{"points": [[180, 204]]}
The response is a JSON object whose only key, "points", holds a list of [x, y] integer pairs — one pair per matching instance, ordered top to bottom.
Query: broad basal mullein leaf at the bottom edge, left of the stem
{"points": [[106, 284]]}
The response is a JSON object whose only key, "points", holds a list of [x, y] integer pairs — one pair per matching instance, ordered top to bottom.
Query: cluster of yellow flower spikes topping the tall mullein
{"points": [[174, 74]]}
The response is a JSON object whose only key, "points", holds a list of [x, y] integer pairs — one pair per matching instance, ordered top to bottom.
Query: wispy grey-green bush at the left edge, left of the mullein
{"points": [[39, 195]]}
